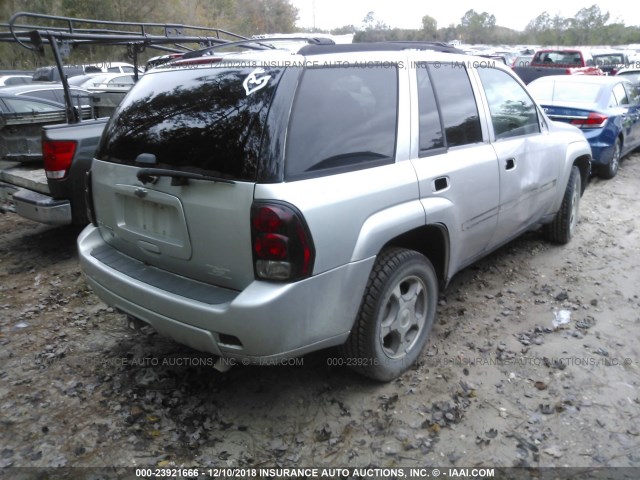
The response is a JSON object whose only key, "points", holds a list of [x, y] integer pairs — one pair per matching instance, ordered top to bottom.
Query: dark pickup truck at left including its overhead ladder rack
{"points": [[53, 193]]}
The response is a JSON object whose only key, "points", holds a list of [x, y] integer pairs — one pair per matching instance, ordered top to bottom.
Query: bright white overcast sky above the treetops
{"points": [[408, 13]]}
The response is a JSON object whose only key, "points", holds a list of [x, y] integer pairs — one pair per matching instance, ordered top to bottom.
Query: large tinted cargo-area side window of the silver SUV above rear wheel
{"points": [[343, 118]]}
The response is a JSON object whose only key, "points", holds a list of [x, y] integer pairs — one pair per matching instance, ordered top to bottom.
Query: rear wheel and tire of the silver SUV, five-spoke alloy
{"points": [[396, 315]]}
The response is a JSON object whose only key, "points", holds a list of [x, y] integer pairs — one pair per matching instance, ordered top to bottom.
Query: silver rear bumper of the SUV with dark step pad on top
{"points": [[264, 321]]}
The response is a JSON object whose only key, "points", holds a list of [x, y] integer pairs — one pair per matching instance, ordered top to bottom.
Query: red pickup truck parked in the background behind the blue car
{"points": [[558, 62]]}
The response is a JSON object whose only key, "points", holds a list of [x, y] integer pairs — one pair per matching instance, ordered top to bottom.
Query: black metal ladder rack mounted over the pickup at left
{"points": [[137, 36]]}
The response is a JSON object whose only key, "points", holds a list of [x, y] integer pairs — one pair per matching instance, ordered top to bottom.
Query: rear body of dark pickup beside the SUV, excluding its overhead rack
{"points": [[53, 193]]}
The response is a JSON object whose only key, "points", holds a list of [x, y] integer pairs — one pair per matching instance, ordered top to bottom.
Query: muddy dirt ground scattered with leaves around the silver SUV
{"points": [[498, 385]]}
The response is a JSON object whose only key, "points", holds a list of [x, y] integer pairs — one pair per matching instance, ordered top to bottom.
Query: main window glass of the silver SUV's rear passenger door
{"points": [[457, 104]]}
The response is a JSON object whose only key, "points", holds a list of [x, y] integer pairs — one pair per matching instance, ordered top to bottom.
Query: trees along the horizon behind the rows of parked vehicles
{"points": [[589, 26]]}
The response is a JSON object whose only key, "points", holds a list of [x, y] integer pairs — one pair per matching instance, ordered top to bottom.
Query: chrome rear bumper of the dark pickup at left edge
{"points": [[35, 206]]}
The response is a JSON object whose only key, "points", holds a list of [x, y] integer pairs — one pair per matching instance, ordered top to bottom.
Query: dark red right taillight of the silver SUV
{"points": [[282, 246]]}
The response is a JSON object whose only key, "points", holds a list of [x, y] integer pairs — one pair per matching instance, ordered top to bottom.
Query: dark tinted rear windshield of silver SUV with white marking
{"points": [[204, 120]]}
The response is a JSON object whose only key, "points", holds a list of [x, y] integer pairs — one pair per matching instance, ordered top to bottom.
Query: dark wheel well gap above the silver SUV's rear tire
{"points": [[432, 241]]}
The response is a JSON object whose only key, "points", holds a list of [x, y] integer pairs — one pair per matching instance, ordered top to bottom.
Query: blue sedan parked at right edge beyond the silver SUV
{"points": [[606, 109]]}
